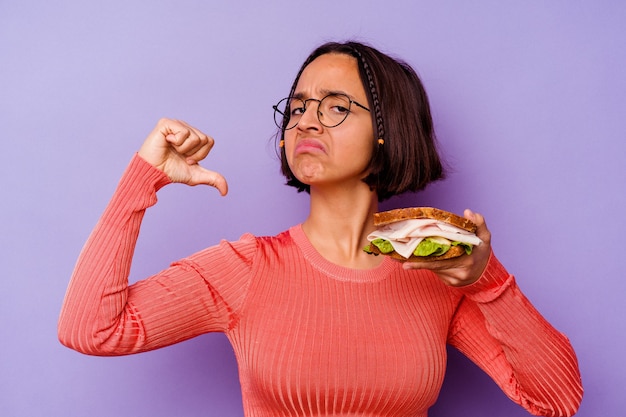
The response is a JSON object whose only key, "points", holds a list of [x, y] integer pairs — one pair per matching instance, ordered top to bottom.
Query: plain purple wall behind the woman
{"points": [[529, 103]]}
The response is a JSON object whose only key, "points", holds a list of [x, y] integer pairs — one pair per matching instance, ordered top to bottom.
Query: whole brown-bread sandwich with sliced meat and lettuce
{"points": [[421, 234]]}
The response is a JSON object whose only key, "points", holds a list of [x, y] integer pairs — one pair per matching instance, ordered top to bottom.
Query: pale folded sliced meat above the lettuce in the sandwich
{"points": [[405, 235]]}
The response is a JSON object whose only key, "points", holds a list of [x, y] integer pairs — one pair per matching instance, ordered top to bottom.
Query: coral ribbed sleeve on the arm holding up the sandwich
{"points": [[498, 328]]}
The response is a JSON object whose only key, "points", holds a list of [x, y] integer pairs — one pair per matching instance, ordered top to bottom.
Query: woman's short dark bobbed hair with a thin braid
{"points": [[408, 160]]}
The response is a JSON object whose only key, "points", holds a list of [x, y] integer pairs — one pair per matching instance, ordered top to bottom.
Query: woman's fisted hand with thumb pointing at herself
{"points": [[176, 148]]}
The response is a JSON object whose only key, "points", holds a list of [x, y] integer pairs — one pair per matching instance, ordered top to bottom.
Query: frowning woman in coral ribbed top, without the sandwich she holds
{"points": [[318, 326]]}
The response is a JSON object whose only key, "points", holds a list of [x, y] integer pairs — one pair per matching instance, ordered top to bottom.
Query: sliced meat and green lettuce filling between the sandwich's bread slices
{"points": [[421, 237]]}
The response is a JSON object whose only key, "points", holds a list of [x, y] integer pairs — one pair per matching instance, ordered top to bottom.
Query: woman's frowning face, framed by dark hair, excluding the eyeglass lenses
{"points": [[318, 155]]}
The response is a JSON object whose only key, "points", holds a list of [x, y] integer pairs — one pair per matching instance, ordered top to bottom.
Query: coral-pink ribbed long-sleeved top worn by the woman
{"points": [[312, 338]]}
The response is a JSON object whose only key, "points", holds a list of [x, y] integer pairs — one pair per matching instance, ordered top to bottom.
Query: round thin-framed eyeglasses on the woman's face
{"points": [[332, 110]]}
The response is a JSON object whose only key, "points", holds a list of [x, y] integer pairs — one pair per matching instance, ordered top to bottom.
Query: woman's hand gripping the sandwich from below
{"points": [[466, 269]]}
